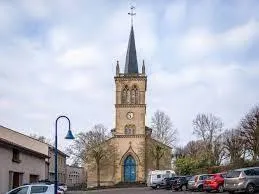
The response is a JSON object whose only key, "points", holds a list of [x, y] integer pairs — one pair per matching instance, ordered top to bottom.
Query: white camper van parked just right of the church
{"points": [[155, 178]]}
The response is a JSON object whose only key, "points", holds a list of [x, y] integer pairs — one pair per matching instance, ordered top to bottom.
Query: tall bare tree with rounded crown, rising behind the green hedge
{"points": [[208, 127]]}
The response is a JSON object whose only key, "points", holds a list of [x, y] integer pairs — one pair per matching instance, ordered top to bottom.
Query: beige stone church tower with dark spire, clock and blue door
{"points": [[130, 131]]}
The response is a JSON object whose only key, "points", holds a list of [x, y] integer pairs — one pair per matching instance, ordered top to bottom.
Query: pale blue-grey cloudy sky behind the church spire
{"points": [[59, 57]]}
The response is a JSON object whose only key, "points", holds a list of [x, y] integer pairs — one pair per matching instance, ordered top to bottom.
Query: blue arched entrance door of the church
{"points": [[129, 169]]}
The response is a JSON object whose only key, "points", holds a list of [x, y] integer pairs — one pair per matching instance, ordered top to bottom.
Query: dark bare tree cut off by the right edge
{"points": [[249, 128]]}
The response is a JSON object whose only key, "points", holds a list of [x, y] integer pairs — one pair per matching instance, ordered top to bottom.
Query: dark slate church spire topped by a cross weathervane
{"points": [[131, 65]]}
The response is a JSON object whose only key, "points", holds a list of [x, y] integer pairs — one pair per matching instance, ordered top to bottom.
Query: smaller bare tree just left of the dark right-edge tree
{"points": [[233, 144]]}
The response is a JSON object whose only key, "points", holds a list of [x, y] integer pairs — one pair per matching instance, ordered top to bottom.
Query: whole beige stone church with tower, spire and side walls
{"points": [[136, 153]]}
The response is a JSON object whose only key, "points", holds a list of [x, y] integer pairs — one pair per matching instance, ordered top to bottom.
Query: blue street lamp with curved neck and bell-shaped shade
{"points": [[68, 136]]}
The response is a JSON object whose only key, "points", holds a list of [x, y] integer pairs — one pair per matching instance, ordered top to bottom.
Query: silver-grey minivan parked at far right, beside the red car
{"points": [[244, 179]]}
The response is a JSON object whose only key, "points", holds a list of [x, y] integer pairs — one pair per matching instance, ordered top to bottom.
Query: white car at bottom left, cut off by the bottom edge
{"points": [[34, 188]]}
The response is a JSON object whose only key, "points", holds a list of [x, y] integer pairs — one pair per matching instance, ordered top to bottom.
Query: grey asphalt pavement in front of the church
{"points": [[142, 190]]}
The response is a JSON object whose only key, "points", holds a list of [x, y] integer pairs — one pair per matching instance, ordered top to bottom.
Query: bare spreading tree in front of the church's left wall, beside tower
{"points": [[93, 148]]}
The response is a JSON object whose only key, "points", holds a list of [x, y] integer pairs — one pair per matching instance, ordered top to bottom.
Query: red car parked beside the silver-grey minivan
{"points": [[214, 182]]}
